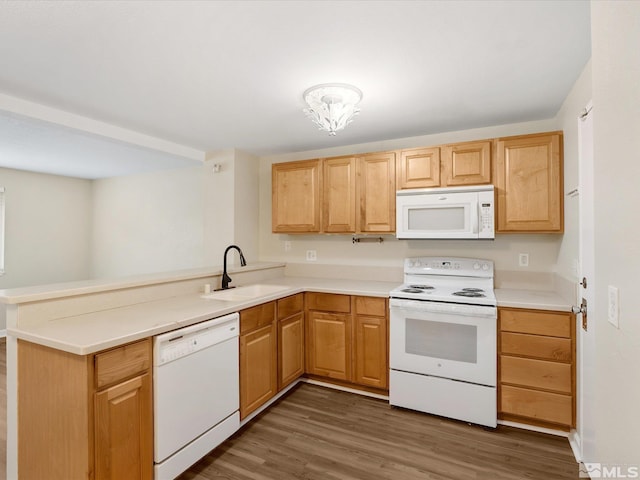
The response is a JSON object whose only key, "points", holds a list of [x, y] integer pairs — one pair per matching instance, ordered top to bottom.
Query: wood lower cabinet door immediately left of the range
{"points": [[371, 351]]}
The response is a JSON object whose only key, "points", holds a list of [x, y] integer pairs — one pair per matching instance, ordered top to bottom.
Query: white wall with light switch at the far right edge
{"points": [[615, 30]]}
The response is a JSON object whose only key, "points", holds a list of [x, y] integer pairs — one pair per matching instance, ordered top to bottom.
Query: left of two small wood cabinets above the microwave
{"points": [[419, 168]]}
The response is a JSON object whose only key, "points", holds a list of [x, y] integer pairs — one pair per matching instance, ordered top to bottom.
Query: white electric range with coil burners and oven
{"points": [[443, 339]]}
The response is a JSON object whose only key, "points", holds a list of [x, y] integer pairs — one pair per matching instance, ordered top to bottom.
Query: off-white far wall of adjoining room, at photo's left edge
{"points": [[47, 226]]}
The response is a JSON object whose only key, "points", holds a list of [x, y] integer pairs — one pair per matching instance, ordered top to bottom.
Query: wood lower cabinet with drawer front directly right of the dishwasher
{"points": [[258, 357]]}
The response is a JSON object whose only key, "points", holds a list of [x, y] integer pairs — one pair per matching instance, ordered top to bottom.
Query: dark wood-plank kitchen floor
{"points": [[315, 433]]}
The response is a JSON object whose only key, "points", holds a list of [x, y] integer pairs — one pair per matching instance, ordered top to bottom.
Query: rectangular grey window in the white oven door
{"points": [[447, 341]]}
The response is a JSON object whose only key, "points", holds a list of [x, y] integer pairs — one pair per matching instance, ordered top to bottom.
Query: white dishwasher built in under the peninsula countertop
{"points": [[196, 392]]}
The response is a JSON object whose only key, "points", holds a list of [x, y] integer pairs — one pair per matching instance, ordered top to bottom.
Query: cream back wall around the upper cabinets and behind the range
{"points": [[338, 249]]}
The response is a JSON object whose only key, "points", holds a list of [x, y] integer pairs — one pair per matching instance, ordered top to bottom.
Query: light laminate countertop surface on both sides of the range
{"points": [[91, 332]]}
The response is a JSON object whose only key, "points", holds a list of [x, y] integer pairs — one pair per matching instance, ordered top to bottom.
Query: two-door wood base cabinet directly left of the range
{"points": [[347, 338]]}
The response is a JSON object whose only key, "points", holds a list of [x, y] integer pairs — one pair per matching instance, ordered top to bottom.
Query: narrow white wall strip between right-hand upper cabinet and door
{"points": [[567, 121]]}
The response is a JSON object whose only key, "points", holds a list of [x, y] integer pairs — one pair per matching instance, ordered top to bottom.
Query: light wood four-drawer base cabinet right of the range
{"points": [[537, 367]]}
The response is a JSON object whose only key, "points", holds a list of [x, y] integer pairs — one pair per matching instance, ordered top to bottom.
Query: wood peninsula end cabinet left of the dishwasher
{"points": [[85, 417]]}
